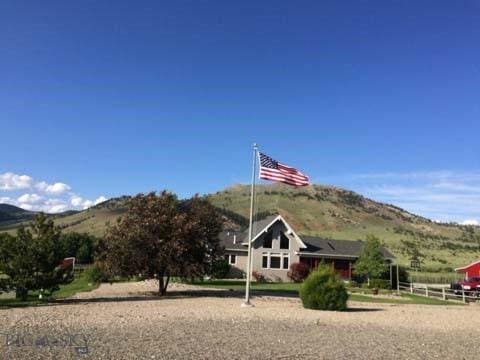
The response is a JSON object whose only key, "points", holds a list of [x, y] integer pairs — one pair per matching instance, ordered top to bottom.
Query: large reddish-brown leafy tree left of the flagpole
{"points": [[160, 237]]}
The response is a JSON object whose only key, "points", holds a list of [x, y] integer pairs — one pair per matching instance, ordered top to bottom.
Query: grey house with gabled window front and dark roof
{"points": [[276, 245]]}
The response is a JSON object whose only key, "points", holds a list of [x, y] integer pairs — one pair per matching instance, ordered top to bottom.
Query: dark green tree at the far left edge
{"points": [[31, 259]]}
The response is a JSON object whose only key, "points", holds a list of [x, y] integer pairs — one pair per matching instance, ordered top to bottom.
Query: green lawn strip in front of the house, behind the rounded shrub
{"points": [[354, 295]]}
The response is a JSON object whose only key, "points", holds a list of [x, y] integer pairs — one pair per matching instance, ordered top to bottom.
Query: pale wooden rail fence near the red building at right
{"points": [[442, 292]]}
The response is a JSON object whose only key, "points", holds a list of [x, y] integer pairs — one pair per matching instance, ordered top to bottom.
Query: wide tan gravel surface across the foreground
{"points": [[124, 321]]}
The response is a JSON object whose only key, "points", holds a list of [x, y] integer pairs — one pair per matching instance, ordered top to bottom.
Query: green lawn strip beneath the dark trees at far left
{"points": [[79, 284]]}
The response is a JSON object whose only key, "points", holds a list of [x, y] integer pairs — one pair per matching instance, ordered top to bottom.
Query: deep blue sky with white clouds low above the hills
{"points": [[111, 98]]}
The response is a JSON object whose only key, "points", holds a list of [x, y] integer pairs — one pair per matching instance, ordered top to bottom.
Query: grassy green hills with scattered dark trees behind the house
{"points": [[314, 210]]}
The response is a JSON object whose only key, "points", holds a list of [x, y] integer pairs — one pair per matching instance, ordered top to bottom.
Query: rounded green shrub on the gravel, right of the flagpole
{"points": [[322, 290]]}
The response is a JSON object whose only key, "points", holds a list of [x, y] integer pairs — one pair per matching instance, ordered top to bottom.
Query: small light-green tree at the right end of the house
{"points": [[370, 262]]}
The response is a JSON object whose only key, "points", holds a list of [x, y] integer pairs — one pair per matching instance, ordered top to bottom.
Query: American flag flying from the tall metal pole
{"points": [[273, 170]]}
